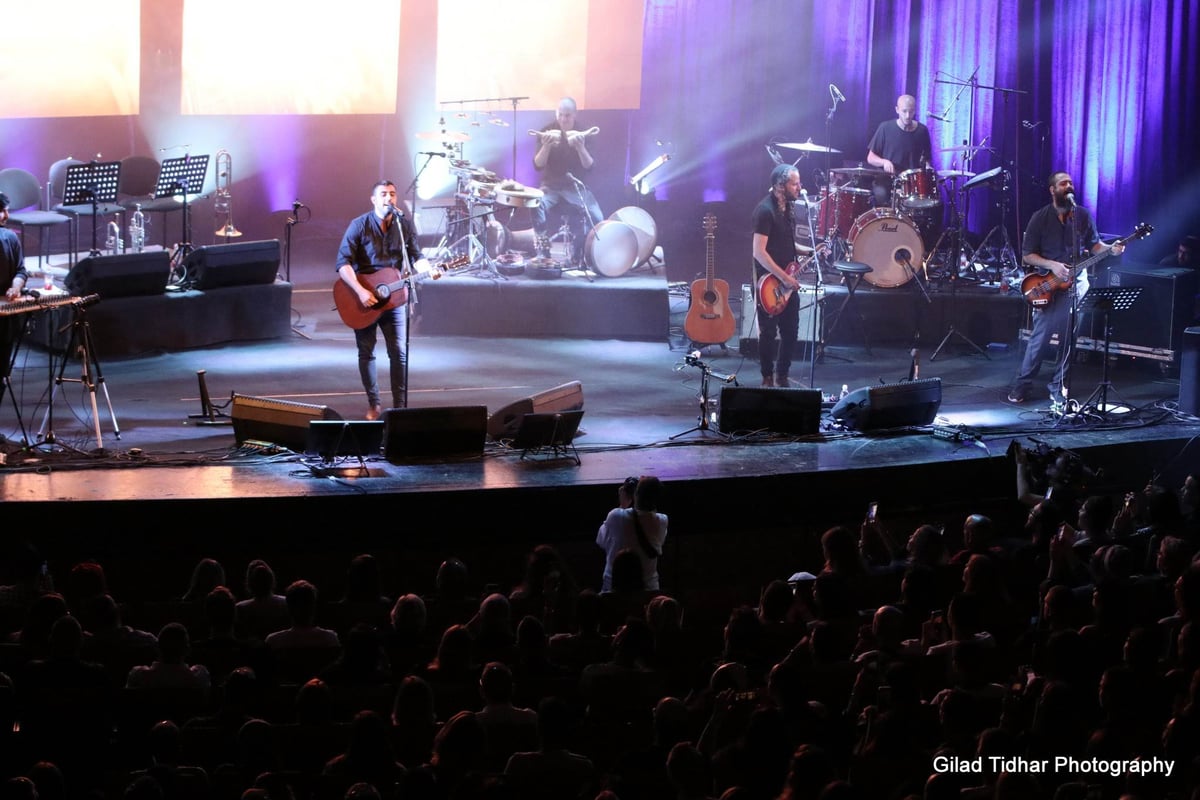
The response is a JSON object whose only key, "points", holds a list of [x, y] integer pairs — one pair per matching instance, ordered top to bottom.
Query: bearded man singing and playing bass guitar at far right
{"points": [[1058, 236]]}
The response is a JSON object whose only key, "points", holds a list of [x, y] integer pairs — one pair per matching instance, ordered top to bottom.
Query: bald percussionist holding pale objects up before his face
{"points": [[562, 159]]}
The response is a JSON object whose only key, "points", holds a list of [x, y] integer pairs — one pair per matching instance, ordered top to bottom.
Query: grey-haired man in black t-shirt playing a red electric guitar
{"points": [[775, 249]]}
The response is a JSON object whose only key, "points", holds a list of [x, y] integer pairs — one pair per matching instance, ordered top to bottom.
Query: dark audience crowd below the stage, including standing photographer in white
{"points": [[1061, 660]]}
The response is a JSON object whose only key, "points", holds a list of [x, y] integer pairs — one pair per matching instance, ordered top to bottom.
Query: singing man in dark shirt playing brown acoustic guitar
{"points": [[383, 238]]}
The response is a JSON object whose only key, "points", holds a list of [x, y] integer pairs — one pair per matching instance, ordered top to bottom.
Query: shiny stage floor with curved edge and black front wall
{"points": [[170, 476]]}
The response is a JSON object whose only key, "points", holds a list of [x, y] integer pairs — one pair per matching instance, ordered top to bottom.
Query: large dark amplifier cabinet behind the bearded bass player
{"points": [[1156, 321]]}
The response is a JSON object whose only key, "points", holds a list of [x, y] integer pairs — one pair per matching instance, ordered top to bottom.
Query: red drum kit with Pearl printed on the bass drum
{"points": [[897, 240]]}
